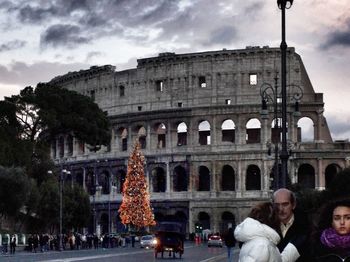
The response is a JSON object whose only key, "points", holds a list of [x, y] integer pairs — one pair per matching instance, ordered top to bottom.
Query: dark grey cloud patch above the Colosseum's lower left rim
{"points": [[63, 35]]}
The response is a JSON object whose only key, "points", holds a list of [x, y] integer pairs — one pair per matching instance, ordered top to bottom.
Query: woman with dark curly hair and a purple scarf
{"points": [[331, 237]]}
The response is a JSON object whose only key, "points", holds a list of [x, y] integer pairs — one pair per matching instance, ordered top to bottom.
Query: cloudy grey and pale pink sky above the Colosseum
{"points": [[41, 39]]}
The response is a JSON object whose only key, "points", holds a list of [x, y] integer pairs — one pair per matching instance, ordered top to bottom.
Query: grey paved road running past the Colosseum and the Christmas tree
{"points": [[193, 253]]}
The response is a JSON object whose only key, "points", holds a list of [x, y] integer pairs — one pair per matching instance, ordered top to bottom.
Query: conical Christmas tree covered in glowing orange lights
{"points": [[135, 209]]}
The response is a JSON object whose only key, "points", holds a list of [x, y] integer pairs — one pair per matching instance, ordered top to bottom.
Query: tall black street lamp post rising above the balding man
{"points": [[283, 5]]}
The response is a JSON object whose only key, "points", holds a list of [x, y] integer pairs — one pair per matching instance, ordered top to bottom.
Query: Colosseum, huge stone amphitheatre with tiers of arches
{"points": [[208, 124]]}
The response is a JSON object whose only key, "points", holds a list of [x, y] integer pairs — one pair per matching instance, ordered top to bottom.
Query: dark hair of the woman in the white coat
{"points": [[265, 213]]}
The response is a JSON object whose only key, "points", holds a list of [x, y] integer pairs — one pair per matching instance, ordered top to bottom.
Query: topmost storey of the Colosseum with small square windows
{"points": [[170, 80]]}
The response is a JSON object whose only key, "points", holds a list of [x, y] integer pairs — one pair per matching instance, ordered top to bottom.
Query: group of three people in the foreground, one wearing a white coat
{"points": [[278, 232]]}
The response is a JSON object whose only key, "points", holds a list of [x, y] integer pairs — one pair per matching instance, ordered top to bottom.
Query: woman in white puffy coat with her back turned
{"points": [[259, 237]]}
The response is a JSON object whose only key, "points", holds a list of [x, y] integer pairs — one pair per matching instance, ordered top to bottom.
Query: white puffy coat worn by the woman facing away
{"points": [[259, 243]]}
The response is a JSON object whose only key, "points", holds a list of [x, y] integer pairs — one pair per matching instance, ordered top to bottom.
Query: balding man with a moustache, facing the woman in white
{"points": [[294, 226]]}
